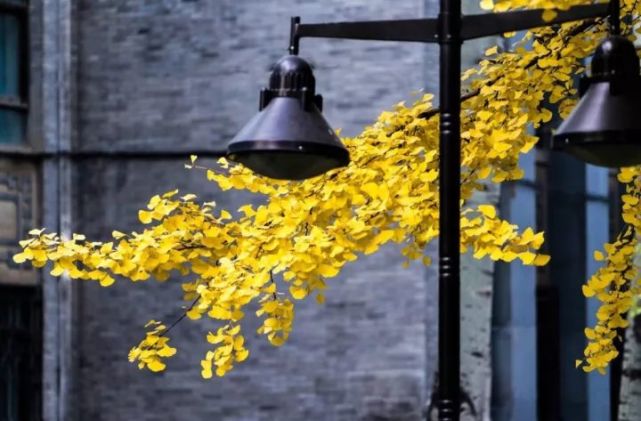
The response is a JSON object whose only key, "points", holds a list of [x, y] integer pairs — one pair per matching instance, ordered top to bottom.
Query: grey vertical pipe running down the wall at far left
{"points": [[56, 121]]}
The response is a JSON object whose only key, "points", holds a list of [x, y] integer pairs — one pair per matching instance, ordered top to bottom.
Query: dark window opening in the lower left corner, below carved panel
{"points": [[20, 337]]}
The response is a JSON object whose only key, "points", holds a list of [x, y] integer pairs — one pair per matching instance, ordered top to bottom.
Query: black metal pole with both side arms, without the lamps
{"points": [[450, 29]]}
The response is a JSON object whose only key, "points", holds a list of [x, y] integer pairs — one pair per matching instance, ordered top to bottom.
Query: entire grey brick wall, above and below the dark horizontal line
{"points": [[178, 75]]}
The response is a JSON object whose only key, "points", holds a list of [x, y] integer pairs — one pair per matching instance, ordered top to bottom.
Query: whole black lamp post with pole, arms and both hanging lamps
{"points": [[289, 138]]}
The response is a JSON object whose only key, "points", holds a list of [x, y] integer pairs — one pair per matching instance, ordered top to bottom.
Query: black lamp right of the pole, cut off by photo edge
{"points": [[605, 127]]}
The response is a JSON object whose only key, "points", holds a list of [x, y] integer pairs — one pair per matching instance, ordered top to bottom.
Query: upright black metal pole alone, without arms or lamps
{"points": [[449, 211]]}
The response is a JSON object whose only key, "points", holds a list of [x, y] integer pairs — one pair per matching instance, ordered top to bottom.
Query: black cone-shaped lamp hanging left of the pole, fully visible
{"points": [[289, 138]]}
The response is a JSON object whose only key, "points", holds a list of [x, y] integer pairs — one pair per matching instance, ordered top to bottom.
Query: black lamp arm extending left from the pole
{"points": [[411, 30]]}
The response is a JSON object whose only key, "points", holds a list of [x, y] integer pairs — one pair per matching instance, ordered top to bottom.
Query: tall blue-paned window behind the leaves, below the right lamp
{"points": [[539, 314]]}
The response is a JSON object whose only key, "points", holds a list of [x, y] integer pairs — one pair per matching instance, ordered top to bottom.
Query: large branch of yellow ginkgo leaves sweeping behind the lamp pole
{"points": [[305, 232]]}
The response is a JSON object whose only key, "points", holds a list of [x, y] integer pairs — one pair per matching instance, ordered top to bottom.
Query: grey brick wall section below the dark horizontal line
{"points": [[360, 355]]}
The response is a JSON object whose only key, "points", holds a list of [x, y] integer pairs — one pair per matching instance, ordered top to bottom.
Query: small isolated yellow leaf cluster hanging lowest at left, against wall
{"points": [[151, 350]]}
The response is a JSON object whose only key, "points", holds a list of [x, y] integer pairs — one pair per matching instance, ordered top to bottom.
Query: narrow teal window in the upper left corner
{"points": [[13, 71]]}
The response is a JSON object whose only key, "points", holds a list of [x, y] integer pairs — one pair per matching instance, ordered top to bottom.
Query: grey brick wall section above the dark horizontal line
{"points": [[185, 74]]}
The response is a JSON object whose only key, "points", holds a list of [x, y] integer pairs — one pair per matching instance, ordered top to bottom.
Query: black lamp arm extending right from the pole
{"points": [[488, 24]]}
